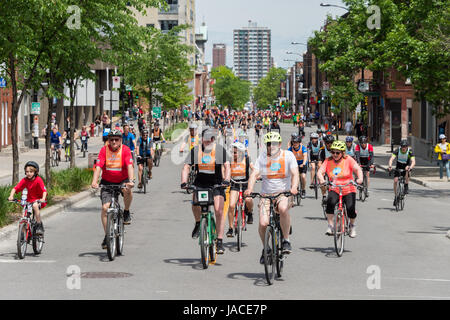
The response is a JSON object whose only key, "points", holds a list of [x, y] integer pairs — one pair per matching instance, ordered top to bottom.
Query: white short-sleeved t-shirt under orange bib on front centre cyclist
{"points": [[272, 186]]}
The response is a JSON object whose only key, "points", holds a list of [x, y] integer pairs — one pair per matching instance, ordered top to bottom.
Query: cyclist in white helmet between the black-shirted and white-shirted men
{"points": [[240, 172]]}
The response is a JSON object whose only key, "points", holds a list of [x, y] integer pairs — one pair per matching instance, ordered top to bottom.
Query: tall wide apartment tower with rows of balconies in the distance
{"points": [[252, 52]]}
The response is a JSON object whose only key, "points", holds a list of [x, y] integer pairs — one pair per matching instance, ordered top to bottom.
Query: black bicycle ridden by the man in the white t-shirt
{"points": [[273, 254]]}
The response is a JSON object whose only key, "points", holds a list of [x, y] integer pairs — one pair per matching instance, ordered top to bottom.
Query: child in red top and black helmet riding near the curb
{"points": [[36, 191]]}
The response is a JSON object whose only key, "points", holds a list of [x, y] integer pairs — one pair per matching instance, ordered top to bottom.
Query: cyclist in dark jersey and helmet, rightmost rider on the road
{"points": [[405, 161]]}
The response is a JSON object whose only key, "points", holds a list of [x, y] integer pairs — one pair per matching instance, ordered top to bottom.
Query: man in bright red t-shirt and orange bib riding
{"points": [[116, 165]]}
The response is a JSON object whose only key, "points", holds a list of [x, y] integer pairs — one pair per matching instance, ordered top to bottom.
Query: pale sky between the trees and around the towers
{"points": [[289, 21]]}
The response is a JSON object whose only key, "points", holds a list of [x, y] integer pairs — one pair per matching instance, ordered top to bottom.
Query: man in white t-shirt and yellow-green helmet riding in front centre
{"points": [[279, 172]]}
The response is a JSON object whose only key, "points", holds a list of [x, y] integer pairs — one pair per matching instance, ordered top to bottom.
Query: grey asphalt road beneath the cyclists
{"points": [[396, 255]]}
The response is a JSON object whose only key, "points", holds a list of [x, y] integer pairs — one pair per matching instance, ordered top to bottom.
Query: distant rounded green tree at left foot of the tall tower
{"points": [[229, 89]]}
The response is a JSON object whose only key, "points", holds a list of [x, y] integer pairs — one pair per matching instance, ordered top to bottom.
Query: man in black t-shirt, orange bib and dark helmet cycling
{"points": [[212, 168]]}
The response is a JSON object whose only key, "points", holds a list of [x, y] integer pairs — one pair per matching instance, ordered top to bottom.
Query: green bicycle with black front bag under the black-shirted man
{"points": [[204, 198]]}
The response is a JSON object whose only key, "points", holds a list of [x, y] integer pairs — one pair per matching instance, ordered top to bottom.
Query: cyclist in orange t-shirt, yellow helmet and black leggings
{"points": [[340, 168]]}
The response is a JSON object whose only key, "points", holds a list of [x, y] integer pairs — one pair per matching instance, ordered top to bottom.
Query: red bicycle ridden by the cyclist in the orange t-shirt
{"points": [[341, 220]]}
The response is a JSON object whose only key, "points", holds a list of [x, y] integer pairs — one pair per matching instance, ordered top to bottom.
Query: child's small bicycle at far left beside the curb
{"points": [[27, 230]]}
